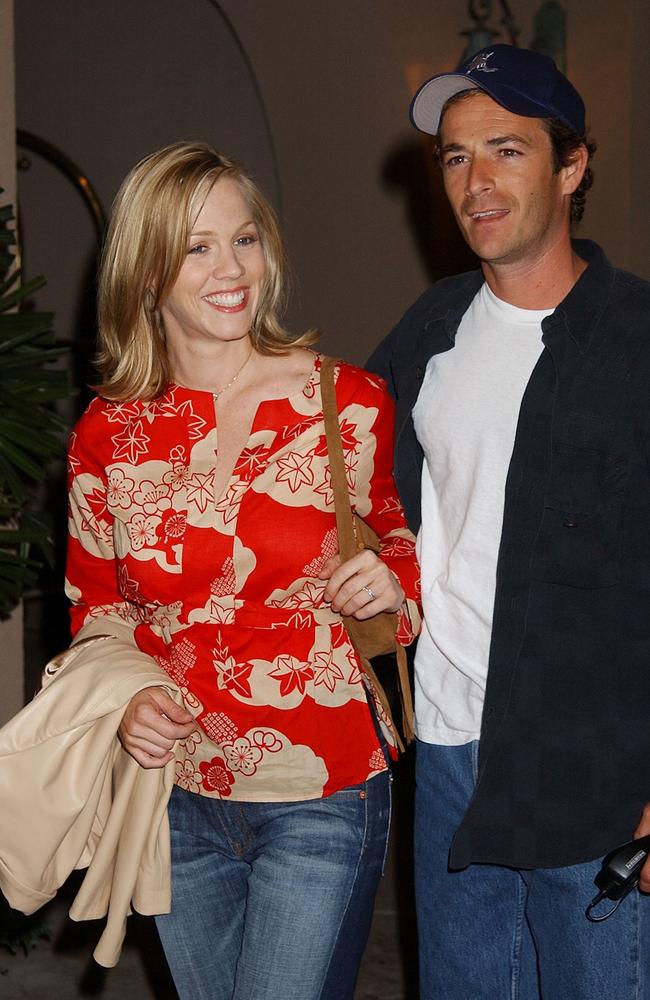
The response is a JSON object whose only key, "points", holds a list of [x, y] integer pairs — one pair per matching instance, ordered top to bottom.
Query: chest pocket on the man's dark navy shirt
{"points": [[579, 541]]}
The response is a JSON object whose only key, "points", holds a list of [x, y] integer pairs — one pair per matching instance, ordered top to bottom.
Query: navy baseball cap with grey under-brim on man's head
{"points": [[522, 81]]}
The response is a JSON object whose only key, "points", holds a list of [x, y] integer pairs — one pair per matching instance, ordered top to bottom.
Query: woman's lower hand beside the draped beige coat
{"points": [[151, 725]]}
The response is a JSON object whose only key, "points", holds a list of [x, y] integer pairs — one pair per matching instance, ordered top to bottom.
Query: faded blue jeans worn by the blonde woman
{"points": [[271, 900]]}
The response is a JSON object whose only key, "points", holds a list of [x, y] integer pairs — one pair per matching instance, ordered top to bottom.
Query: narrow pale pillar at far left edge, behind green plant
{"points": [[11, 636]]}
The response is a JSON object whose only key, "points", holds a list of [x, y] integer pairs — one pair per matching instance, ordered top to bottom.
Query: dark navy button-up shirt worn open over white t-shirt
{"points": [[565, 740]]}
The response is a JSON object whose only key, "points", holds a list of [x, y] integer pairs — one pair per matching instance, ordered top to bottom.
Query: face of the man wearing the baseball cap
{"points": [[498, 175]]}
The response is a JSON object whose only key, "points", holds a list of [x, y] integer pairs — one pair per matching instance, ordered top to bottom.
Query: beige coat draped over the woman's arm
{"points": [[73, 798]]}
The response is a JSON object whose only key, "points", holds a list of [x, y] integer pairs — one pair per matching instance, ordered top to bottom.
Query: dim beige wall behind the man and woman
{"points": [[367, 227]]}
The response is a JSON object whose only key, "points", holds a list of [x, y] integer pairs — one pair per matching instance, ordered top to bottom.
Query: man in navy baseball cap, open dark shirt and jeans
{"points": [[523, 451]]}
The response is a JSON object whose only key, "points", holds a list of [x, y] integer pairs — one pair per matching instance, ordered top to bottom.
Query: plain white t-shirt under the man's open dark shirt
{"points": [[465, 419]]}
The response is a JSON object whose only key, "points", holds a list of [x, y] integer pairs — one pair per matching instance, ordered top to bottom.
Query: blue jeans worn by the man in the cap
{"points": [[495, 933]]}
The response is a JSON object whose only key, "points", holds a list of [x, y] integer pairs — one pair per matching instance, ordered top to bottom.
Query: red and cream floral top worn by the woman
{"points": [[223, 591]]}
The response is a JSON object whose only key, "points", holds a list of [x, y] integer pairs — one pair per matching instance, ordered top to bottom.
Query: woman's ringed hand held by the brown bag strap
{"points": [[361, 587]]}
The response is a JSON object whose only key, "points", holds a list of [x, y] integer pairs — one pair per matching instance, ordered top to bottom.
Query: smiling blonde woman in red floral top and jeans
{"points": [[201, 514]]}
